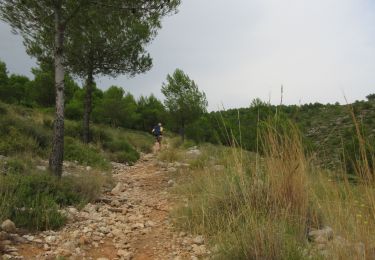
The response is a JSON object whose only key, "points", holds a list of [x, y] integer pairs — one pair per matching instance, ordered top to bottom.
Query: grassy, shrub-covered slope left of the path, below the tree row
{"points": [[29, 194]]}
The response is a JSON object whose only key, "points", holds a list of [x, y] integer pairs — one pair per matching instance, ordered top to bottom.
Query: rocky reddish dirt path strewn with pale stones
{"points": [[129, 222]]}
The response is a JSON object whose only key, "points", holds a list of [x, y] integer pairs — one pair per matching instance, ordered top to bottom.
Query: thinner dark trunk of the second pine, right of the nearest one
{"points": [[88, 108]]}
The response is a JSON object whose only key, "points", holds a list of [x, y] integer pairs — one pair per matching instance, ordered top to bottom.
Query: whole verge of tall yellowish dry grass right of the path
{"points": [[262, 207]]}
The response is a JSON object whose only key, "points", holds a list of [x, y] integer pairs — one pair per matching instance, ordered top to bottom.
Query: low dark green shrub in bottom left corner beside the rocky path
{"points": [[29, 201]]}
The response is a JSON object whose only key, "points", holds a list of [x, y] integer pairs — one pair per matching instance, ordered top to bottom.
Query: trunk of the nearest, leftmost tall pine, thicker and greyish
{"points": [[57, 153]]}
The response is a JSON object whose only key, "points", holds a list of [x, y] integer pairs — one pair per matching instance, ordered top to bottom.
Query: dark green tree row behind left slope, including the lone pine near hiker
{"points": [[185, 106]]}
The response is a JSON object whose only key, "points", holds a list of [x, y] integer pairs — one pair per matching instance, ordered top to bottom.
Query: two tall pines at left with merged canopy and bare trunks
{"points": [[88, 38]]}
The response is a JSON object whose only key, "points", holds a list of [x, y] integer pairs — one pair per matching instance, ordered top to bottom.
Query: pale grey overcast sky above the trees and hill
{"points": [[238, 50]]}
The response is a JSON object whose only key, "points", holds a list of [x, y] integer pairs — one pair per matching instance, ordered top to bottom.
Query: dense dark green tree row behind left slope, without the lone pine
{"points": [[113, 106]]}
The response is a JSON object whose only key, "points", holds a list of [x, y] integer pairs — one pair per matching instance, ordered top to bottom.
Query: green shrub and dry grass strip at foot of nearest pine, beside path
{"points": [[33, 200]]}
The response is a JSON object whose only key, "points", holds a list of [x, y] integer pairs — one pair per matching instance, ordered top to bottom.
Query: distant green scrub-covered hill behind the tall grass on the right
{"points": [[328, 130]]}
